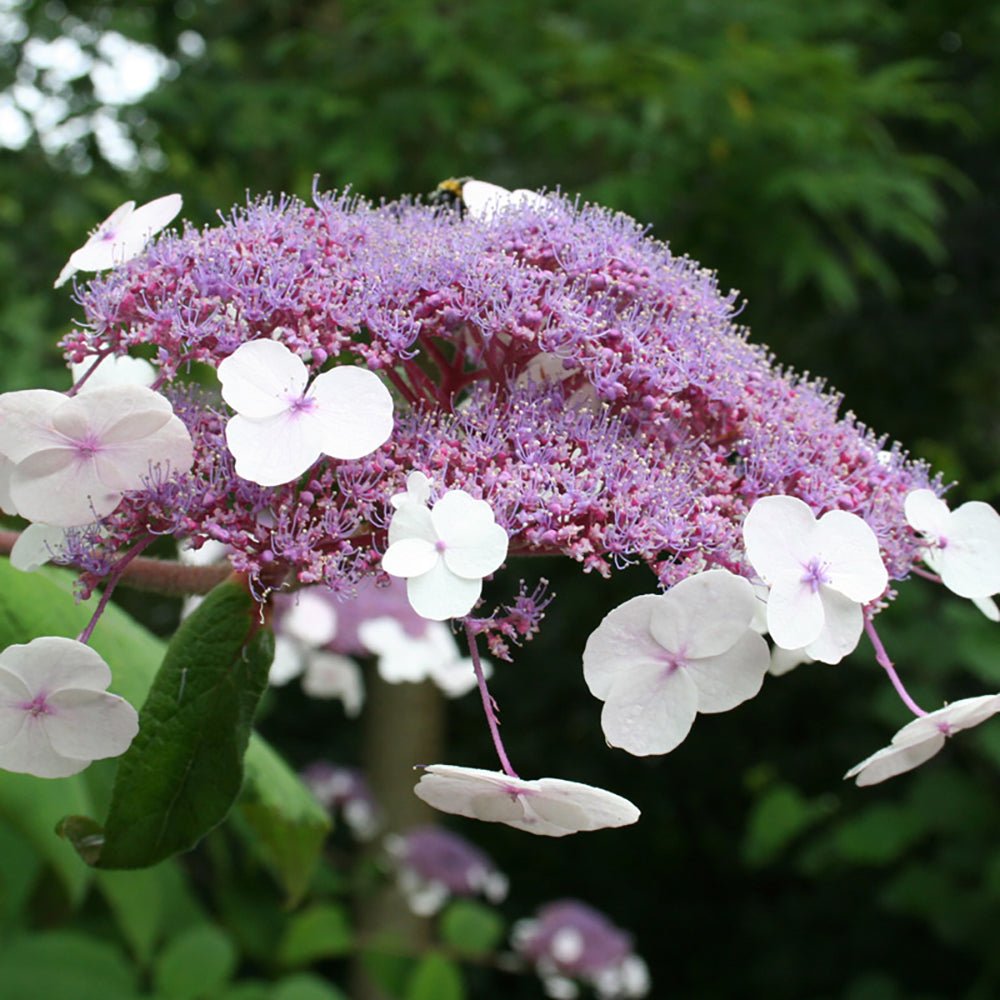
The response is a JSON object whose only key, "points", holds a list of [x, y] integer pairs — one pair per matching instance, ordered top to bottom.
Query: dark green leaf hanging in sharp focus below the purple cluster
{"points": [[184, 770]]}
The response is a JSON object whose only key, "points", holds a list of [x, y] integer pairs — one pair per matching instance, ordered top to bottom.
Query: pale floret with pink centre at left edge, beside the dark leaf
{"points": [[55, 714]]}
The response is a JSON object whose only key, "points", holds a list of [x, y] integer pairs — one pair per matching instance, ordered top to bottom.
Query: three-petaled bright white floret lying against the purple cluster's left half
{"points": [[281, 427]]}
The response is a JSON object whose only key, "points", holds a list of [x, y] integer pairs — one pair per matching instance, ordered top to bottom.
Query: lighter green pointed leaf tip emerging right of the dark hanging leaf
{"points": [[289, 824]]}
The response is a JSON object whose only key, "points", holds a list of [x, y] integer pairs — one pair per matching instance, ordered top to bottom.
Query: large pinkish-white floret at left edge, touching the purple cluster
{"points": [[74, 457]]}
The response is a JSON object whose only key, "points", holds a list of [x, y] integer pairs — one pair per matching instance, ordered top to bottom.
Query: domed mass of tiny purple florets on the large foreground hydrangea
{"points": [[556, 362]]}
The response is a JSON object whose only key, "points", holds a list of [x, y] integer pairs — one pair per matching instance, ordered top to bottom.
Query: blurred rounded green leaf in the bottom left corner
{"points": [[64, 966]]}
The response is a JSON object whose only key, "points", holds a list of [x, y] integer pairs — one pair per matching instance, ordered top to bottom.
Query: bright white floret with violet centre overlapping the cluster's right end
{"points": [[820, 573]]}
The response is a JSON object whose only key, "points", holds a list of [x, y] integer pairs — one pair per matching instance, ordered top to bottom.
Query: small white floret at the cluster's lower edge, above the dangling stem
{"points": [[443, 552]]}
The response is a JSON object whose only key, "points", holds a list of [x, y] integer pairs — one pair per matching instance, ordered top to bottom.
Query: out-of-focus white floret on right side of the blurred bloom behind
{"points": [[434, 655]]}
